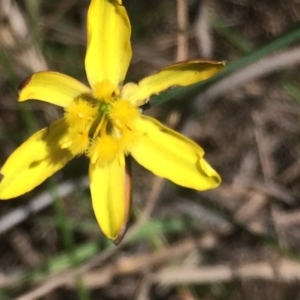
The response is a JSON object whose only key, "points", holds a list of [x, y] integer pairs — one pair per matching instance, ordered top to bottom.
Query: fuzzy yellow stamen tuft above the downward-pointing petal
{"points": [[104, 149]]}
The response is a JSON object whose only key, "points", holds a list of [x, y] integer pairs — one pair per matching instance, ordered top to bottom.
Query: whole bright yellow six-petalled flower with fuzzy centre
{"points": [[104, 123]]}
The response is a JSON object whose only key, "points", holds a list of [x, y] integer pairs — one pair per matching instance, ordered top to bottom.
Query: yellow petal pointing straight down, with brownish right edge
{"points": [[110, 189]]}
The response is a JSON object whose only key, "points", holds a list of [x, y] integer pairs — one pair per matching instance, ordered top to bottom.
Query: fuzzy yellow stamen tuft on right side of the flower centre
{"points": [[123, 115]]}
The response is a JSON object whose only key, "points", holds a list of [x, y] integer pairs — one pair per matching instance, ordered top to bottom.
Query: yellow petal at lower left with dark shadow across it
{"points": [[34, 161]]}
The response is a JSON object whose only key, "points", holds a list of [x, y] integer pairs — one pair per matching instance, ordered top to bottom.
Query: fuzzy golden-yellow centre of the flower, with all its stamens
{"points": [[103, 128]]}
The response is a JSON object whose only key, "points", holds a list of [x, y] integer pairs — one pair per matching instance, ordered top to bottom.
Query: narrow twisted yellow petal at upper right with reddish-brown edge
{"points": [[179, 74]]}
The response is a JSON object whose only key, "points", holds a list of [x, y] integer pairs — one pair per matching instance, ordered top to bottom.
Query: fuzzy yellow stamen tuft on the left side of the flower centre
{"points": [[80, 114]]}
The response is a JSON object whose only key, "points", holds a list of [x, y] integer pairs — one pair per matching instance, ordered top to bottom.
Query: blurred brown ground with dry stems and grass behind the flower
{"points": [[240, 241]]}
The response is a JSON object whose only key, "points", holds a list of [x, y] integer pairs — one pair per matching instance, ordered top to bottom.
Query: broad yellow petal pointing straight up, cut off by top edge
{"points": [[108, 48]]}
